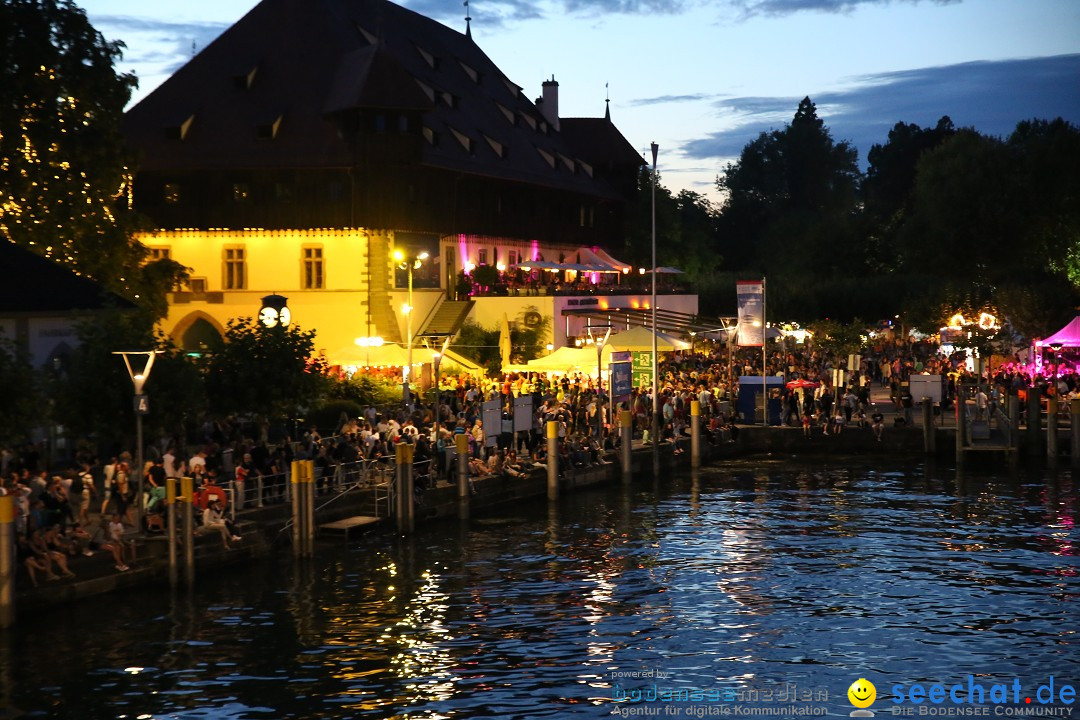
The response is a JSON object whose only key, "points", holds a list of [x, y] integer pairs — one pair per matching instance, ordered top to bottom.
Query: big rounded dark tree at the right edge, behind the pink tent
{"points": [[996, 223]]}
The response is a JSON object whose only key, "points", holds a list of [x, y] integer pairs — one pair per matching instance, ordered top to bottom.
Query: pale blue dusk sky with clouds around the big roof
{"points": [[704, 78]]}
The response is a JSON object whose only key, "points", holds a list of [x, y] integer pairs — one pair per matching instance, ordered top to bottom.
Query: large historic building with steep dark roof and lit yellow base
{"points": [[312, 141]]}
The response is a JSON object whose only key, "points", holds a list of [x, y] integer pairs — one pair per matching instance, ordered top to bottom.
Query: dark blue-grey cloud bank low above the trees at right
{"points": [[990, 97]]}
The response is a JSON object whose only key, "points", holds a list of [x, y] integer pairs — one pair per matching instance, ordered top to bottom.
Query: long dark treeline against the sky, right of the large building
{"points": [[943, 220]]}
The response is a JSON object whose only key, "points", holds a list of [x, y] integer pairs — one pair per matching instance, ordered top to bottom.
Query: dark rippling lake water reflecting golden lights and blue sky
{"points": [[748, 577]]}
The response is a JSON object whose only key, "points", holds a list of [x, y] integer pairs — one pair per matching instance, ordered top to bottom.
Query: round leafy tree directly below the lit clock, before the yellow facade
{"points": [[267, 372]]}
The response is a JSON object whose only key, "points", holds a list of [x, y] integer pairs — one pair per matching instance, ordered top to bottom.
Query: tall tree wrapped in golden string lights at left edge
{"points": [[65, 179]]}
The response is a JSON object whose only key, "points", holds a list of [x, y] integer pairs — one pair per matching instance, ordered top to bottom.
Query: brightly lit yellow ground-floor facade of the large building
{"points": [[339, 282]]}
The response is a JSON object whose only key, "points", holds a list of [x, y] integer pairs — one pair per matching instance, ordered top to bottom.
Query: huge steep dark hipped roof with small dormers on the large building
{"points": [[294, 63]]}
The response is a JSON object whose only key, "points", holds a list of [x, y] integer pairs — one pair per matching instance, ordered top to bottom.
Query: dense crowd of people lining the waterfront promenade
{"points": [[90, 508]]}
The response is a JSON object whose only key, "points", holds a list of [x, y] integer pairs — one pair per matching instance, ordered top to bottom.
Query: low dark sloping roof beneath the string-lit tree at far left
{"points": [[33, 284]]}
